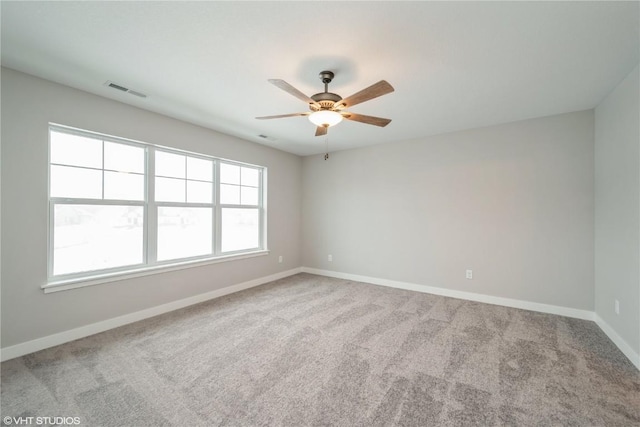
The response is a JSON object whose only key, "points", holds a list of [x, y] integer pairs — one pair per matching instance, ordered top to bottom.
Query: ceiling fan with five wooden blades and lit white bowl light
{"points": [[328, 109]]}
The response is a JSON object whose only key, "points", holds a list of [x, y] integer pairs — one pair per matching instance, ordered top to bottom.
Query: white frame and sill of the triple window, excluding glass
{"points": [[150, 264]]}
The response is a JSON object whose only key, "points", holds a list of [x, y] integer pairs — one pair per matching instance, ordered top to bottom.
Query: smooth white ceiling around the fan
{"points": [[454, 65]]}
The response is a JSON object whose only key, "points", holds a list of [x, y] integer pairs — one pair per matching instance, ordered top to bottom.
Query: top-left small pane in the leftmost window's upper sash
{"points": [[75, 150]]}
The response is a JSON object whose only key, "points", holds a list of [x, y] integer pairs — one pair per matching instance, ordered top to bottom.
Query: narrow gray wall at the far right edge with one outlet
{"points": [[617, 211]]}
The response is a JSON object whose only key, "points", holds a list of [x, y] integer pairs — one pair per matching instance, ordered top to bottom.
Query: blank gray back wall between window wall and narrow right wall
{"points": [[512, 202]]}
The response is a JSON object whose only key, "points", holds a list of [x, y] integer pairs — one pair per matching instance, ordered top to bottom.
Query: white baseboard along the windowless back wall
{"points": [[507, 302]]}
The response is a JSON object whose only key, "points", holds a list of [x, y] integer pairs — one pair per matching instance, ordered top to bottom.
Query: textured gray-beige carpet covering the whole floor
{"points": [[310, 350]]}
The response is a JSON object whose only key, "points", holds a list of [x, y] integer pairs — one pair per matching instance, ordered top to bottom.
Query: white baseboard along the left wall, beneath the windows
{"points": [[94, 328]]}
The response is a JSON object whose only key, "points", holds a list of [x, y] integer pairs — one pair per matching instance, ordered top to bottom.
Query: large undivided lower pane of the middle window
{"points": [[184, 232]]}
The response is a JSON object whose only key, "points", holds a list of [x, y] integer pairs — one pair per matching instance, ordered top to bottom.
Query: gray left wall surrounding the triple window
{"points": [[28, 105]]}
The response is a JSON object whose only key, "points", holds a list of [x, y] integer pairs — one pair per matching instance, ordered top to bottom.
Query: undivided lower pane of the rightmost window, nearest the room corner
{"points": [[240, 229]]}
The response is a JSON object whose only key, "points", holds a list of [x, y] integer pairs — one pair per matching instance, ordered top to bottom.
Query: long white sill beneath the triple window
{"points": [[64, 285]]}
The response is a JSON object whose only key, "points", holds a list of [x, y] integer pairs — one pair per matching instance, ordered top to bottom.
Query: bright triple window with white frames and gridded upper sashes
{"points": [[118, 205]]}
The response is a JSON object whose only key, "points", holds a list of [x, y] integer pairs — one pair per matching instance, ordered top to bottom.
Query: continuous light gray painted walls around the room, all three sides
{"points": [[514, 202]]}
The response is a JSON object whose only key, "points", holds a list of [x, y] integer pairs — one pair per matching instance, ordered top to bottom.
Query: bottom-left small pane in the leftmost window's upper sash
{"points": [[76, 182]]}
